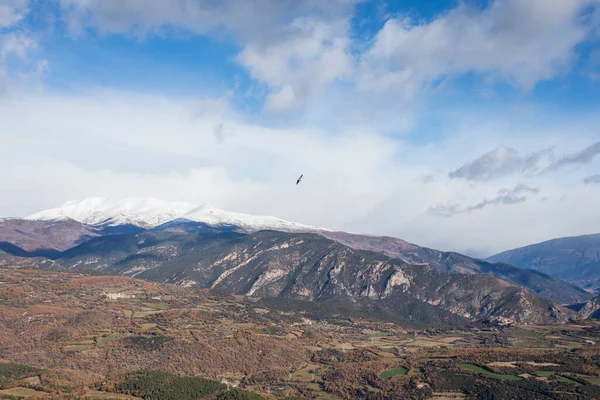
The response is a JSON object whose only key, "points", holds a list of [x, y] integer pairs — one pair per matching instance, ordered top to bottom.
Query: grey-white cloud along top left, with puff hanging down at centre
{"points": [[294, 47]]}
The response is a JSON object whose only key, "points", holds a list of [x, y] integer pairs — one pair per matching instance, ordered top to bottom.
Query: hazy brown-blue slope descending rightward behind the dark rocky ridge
{"points": [[538, 283]]}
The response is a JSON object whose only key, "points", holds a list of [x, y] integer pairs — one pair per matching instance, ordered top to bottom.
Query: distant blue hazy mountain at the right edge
{"points": [[575, 259]]}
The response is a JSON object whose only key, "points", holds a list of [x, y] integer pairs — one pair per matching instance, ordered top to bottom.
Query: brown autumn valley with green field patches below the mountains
{"points": [[68, 334]]}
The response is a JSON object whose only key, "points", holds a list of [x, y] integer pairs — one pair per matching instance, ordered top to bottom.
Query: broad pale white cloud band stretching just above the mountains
{"points": [[121, 144]]}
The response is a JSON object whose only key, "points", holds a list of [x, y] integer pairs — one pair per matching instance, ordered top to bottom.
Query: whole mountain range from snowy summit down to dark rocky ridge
{"points": [[283, 262]]}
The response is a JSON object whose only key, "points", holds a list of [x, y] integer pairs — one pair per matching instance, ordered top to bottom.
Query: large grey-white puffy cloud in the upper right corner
{"points": [[522, 42]]}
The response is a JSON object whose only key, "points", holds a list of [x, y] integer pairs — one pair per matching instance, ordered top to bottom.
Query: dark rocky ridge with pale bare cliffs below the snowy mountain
{"points": [[311, 268]]}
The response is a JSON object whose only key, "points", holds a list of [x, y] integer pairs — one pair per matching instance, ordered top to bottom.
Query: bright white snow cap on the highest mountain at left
{"points": [[150, 212]]}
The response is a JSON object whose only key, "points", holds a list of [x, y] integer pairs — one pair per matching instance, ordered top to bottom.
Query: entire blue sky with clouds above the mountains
{"points": [[471, 126]]}
